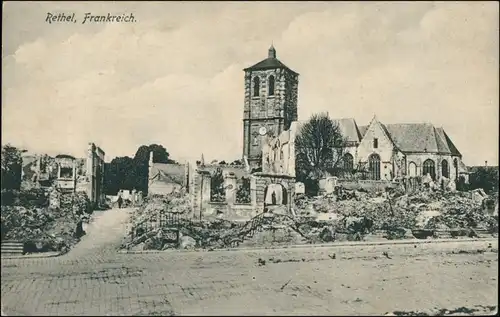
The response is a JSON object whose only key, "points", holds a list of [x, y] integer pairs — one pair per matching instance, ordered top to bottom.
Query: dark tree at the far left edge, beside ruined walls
{"points": [[12, 163]]}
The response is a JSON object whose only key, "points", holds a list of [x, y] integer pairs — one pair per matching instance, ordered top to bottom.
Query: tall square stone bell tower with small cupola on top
{"points": [[271, 90]]}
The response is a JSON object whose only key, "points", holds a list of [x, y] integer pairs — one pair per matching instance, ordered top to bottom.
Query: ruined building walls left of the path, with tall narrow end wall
{"points": [[67, 173]]}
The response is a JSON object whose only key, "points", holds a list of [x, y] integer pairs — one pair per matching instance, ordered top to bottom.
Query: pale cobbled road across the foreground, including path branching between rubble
{"points": [[355, 280]]}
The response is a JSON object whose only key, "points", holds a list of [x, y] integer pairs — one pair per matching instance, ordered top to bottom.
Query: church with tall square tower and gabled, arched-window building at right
{"points": [[385, 150]]}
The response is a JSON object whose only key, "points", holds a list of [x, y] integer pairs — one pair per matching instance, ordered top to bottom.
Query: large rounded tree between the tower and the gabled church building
{"points": [[319, 147]]}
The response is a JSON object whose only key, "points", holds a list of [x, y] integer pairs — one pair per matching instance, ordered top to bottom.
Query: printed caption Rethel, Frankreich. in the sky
{"points": [[89, 18]]}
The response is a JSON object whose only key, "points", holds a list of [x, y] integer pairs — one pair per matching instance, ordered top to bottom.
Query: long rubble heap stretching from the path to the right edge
{"points": [[350, 215]]}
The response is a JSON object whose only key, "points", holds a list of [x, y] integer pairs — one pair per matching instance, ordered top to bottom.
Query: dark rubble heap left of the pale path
{"points": [[30, 219]]}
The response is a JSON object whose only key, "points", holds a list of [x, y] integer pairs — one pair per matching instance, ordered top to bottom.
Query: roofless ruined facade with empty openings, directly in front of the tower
{"points": [[233, 192]]}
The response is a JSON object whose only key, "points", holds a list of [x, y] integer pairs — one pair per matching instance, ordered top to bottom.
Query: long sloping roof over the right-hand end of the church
{"points": [[420, 137]]}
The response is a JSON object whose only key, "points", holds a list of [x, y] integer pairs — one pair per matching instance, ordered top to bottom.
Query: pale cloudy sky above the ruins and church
{"points": [[175, 75]]}
